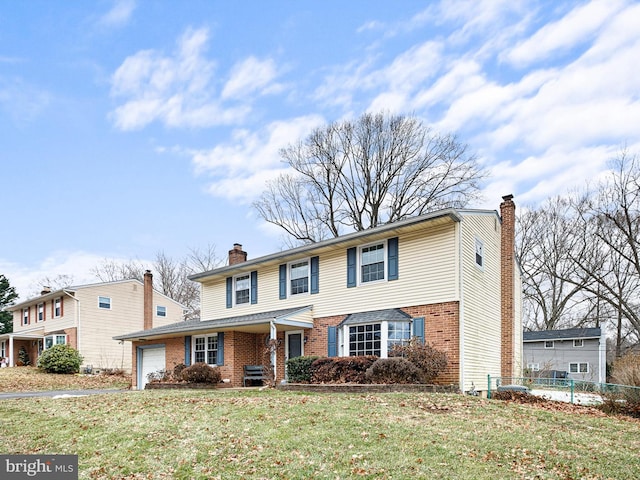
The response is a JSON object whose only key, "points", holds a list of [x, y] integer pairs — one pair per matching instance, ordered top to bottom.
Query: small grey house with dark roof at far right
{"points": [[579, 351]]}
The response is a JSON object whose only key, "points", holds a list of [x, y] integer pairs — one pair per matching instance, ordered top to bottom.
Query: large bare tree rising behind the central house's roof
{"points": [[355, 175]]}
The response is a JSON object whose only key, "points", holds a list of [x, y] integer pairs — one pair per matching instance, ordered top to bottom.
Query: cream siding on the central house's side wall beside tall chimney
{"points": [[481, 345]]}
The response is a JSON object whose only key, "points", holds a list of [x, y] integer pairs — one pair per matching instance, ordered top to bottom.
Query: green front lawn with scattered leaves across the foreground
{"points": [[225, 434]]}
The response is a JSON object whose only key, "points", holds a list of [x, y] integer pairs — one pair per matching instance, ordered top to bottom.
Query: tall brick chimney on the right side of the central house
{"points": [[507, 284]]}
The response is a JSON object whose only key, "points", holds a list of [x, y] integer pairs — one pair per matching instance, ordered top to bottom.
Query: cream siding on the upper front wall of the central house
{"points": [[428, 273]]}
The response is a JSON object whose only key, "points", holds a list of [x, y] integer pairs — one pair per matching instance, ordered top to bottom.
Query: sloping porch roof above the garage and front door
{"points": [[288, 319]]}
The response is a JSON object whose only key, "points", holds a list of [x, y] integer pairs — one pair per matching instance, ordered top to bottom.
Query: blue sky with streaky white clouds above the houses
{"points": [[131, 127]]}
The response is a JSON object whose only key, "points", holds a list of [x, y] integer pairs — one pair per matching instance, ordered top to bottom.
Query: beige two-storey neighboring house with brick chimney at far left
{"points": [[87, 317]]}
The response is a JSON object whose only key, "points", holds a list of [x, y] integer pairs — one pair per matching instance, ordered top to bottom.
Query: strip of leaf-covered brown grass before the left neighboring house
{"points": [[30, 379]]}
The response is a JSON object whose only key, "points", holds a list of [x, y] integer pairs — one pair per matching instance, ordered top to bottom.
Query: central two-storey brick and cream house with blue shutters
{"points": [[448, 277]]}
